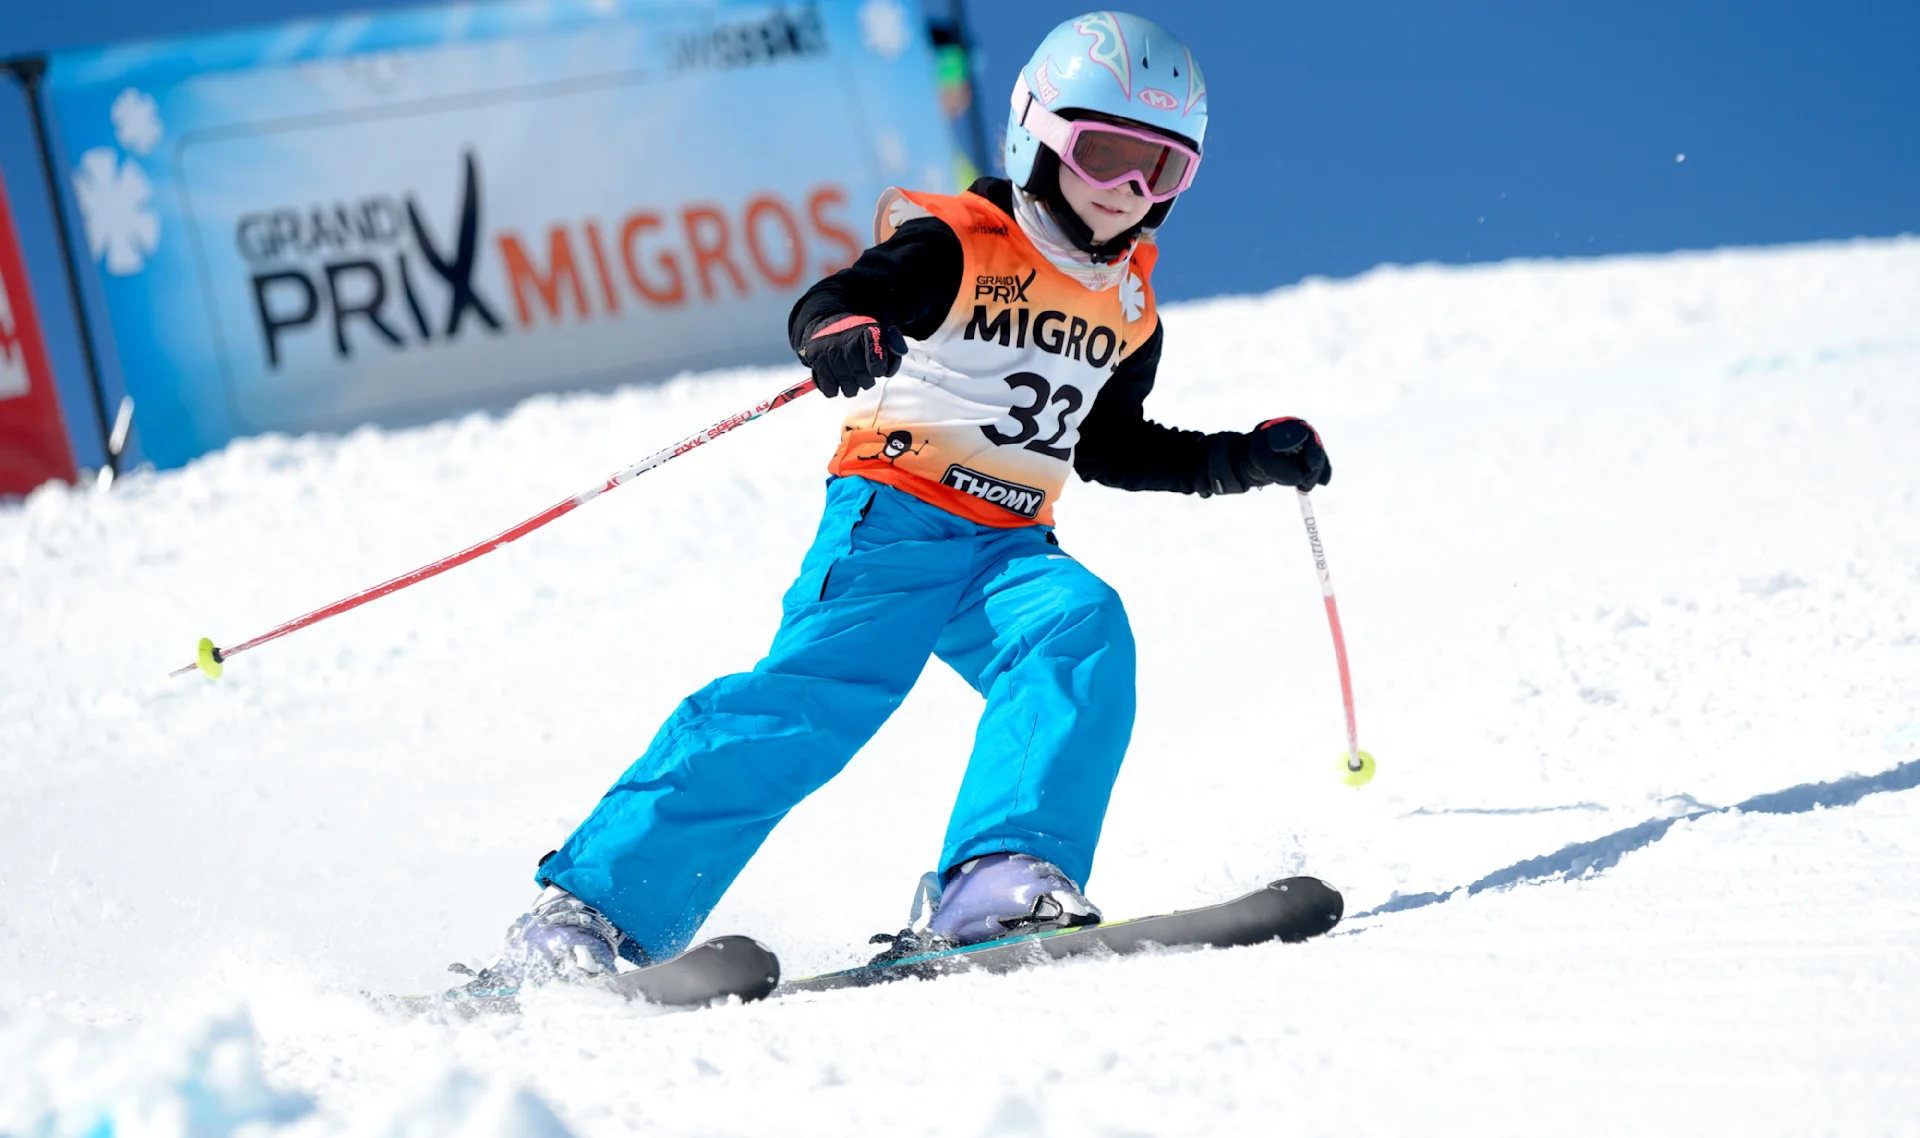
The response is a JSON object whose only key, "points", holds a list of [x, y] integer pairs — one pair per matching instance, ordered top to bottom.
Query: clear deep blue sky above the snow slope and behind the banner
{"points": [[1351, 135]]}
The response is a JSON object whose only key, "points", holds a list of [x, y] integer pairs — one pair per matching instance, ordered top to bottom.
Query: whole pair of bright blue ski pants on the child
{"points": [[888, 582]]}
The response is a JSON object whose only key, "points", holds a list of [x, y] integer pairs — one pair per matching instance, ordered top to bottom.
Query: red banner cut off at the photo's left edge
{"points": [[34, 439]]}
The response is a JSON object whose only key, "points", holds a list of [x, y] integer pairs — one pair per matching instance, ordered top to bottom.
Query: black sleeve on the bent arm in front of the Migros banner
{"points": [[909, 281]]}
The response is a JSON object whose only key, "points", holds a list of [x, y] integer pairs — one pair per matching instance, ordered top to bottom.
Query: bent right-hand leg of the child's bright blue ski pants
{"points": [[1049, 646]]}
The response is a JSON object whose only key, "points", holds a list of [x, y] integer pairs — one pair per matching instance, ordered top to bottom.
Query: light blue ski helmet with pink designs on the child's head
{"points": [[1113, 64]]}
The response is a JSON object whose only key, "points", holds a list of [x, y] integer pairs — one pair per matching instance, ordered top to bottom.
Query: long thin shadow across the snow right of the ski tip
{"points": [[1604, 853]]}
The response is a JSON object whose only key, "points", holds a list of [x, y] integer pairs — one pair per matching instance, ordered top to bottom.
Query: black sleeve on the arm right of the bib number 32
{"points": [[1122, 448]]}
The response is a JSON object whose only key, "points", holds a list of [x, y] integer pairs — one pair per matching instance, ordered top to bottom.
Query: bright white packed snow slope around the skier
{"points": [[1621, 546]]}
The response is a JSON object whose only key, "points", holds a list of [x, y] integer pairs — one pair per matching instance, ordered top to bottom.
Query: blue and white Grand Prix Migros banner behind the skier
{"points": [[393, 218]]}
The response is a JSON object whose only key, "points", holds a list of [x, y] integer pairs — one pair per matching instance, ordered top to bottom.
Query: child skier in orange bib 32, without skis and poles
{"points": [[988, 344]]}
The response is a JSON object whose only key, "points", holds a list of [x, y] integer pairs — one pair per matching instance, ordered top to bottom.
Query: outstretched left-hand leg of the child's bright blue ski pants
{"points": [[736, 757]]}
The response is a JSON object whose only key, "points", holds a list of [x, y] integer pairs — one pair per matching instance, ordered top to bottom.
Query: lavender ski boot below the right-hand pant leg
{"points": [[986, 899]]}
